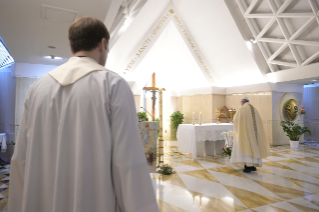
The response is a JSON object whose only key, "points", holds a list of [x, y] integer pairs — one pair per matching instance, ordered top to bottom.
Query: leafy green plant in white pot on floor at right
{"points": [[294, 131]]}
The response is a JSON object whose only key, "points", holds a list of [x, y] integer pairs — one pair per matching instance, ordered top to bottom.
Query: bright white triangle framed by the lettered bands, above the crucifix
{"points": [[164, 58]]}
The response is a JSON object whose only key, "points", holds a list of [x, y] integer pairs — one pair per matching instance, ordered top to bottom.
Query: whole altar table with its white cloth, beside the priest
{"points": [[195, 139]]}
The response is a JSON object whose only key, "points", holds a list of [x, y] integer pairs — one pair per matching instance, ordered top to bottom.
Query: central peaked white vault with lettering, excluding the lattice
{"points": [[208, 30]]}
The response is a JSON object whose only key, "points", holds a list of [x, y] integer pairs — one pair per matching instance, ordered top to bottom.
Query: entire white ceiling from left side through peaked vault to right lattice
{"points": [[211, 47]]}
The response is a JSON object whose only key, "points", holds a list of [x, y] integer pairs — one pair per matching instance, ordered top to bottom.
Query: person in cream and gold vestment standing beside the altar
{"points": [[250, 143]]}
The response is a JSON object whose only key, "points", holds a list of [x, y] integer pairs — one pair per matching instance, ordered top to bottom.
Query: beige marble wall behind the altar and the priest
{"points": [[267, 103]]}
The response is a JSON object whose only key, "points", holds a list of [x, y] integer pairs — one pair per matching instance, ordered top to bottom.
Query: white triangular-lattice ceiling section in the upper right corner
{"points": [[286, 31]]}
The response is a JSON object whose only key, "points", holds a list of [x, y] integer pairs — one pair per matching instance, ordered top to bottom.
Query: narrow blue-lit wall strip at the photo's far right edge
{"points": [[311, 104]]}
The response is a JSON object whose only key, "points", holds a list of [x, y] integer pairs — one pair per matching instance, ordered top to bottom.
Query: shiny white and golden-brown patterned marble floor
{"points": [[288, 181]]}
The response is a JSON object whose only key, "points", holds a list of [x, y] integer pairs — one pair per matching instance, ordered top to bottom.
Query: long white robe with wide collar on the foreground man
{"points": [[78, 148]]}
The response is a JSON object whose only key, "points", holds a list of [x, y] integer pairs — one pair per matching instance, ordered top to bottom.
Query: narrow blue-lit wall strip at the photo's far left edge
{"points": [[7, 102]]}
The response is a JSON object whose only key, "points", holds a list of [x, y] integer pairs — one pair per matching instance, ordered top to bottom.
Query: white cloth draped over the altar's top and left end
{"points": [[188, 135]]}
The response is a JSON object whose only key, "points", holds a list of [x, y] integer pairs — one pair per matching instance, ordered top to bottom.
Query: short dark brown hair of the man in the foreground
{"points": [[86, 33]]}
